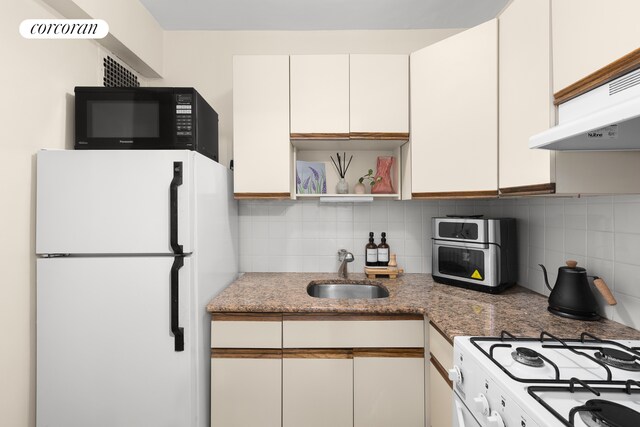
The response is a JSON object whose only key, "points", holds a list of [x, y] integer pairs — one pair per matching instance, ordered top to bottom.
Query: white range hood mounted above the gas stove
{"points": [[606, 118]]}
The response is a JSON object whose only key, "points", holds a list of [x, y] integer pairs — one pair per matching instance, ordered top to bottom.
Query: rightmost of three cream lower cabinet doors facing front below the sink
{"points": [[389, 391]]}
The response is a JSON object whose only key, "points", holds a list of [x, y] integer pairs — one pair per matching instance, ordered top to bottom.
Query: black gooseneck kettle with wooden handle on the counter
{"points": [[572, 297]]}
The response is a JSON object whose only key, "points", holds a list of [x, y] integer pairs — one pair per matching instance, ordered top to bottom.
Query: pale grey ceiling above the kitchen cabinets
{"points": [[321, 14]]}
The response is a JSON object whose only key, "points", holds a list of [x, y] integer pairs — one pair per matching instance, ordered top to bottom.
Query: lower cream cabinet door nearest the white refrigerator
{"points": [[246, 392]]}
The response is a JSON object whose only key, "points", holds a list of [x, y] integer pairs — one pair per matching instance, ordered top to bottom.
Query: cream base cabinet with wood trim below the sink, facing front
{"points": [[331, 370]]}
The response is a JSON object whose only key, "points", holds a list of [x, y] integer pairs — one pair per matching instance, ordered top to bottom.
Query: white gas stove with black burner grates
{"points": [[546, 381]]}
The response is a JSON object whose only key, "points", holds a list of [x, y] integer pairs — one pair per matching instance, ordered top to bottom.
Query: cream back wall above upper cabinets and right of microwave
{"points": [[203, 59]]}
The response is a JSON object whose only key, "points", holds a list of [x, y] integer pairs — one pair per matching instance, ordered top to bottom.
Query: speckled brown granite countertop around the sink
{"points": [[454, 311]]}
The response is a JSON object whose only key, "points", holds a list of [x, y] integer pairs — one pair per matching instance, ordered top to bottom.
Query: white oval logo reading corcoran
{"points": [[64, 28]]}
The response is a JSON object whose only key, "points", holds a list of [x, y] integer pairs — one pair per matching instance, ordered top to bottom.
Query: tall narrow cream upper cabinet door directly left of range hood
{"points": [[526, 105]]}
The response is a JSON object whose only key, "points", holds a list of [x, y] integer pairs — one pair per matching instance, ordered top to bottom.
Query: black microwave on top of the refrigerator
{"points": [[155, 118]]}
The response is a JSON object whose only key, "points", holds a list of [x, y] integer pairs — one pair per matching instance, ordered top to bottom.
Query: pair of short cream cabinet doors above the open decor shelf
{"points": [[349, 96]]}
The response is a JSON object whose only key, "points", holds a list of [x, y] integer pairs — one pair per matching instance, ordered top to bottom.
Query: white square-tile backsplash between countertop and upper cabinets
{"points": [[602, 233]]}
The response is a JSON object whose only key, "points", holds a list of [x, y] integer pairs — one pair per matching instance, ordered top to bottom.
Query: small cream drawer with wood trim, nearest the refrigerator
{"points": [[246, 330]]}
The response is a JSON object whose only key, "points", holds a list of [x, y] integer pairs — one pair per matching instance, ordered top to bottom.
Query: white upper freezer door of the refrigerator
{"points": [[114, 202]]}
